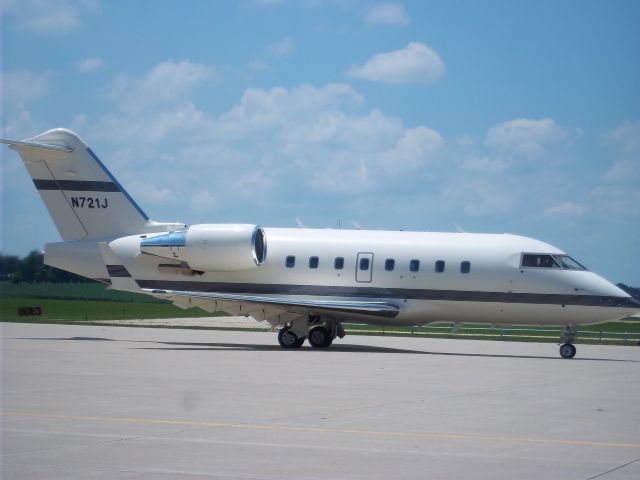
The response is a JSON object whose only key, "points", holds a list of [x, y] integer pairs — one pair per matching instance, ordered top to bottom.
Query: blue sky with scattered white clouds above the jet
{"points": [[514, 116]]}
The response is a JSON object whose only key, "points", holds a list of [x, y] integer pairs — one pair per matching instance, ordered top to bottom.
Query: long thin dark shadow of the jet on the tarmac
{"points": [[220, 346]]}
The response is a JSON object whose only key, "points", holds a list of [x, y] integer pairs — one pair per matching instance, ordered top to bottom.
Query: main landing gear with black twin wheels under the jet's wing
{"points": [[320, 333]]}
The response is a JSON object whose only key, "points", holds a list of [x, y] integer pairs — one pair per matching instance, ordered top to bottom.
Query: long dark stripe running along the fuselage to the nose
{"points": [[393, 293]]}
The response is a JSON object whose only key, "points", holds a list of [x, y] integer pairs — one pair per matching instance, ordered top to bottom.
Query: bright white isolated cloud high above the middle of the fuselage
{"points": [[417, 63]]}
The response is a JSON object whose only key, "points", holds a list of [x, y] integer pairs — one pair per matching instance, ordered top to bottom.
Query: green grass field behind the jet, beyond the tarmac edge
{"points": [[93, 303]]}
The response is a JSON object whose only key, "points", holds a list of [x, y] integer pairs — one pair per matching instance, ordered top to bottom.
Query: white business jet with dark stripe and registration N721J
{"points": [[307, 281]]}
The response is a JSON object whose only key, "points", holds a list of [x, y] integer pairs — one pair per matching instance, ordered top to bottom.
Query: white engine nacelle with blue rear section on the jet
{"points": [[211, 247]]}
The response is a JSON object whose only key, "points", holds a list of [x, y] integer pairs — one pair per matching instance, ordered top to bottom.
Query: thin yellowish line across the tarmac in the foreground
{"points": [[312, 429]]}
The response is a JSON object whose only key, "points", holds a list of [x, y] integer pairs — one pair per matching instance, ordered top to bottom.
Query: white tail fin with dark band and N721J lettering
{"points": [[84, 199]]}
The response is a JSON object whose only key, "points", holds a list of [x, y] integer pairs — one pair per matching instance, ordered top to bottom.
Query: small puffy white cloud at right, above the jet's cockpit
{"points": [[524, 136]]}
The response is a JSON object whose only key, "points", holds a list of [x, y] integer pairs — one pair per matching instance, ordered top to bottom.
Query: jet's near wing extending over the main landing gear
{"points": [[277, 310]]}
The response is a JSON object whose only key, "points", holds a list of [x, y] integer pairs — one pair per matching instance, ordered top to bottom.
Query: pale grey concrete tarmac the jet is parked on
{"points": [[82, 402]]}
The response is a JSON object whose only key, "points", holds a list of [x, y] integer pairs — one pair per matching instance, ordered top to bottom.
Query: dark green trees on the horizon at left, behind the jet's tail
{"points": [[32, 269]]}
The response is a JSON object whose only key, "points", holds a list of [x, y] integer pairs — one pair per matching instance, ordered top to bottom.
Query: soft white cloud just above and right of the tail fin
{"points": [[166, 83]]}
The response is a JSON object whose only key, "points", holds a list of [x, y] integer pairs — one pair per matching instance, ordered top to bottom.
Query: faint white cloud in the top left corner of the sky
{"points": [[44, 18]]}
